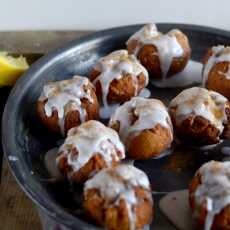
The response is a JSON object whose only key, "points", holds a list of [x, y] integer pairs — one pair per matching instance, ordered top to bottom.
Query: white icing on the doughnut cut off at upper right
{"points": [[219, 54]]}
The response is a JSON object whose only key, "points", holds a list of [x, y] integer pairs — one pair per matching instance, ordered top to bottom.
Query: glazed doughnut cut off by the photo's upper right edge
{"points": [[216, 70]]}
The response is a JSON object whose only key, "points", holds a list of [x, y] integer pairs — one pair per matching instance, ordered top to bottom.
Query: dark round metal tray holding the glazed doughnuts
{"points": [[25, 141]]}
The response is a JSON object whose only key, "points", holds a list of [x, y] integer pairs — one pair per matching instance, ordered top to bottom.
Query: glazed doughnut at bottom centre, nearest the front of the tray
{"points": [[119, 198]]}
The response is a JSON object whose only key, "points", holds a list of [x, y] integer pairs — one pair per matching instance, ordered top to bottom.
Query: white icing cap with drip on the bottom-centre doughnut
{"points": [[118, 183]]}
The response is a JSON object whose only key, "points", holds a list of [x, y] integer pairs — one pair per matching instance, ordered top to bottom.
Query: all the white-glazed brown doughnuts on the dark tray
{"points": [[117, 195]]}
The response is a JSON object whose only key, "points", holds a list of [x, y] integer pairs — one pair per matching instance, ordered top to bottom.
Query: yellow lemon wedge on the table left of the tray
{"points": [[11, 68]]}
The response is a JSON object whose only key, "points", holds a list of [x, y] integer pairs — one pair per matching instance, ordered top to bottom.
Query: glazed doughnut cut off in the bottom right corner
{"points": [[209, 196]]}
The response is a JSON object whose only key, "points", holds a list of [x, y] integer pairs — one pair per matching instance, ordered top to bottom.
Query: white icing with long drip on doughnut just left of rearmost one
{"points": [[115, 66]]}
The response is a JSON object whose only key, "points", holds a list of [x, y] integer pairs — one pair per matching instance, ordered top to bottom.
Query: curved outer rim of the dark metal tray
{"points": [[61, 215]]}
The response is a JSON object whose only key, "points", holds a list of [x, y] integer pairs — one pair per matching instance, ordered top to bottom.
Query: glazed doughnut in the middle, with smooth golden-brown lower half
{"points": [[144, 125]]}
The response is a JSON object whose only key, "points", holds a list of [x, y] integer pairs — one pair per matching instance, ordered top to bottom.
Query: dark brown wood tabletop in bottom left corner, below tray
{"points": [[16, 210]]}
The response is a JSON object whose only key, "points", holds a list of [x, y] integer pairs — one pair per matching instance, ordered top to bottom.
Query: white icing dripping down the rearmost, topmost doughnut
{"points": [[167, 45]]}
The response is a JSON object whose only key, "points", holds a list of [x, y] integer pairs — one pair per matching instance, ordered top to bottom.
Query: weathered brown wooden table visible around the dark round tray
{"points": [[16, 210]]}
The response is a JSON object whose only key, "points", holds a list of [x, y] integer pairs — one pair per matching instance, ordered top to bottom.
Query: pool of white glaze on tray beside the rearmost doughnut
{"points": [[192, 74]]}
